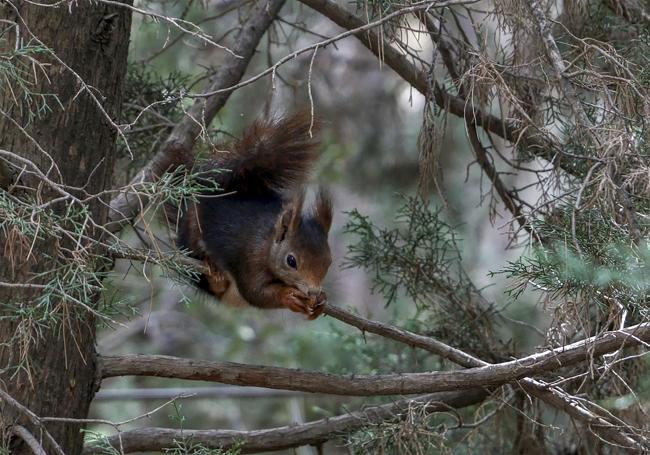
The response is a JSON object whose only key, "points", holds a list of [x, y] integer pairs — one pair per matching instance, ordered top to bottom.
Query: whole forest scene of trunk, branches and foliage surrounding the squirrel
{"points": [[489, 168]]}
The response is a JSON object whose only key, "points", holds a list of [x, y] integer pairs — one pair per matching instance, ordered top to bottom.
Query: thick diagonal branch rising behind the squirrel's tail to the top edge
{"points": [[183, 137]]}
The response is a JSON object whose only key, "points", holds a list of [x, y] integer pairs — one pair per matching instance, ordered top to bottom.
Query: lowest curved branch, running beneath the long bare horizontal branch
{"points": [[319, 431]]}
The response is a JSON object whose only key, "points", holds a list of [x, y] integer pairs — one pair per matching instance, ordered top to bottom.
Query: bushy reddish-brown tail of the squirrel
{"points": [[275, 154]]}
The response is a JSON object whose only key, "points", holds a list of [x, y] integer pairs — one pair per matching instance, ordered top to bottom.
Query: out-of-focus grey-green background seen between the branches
{"points": [[371, 120]]}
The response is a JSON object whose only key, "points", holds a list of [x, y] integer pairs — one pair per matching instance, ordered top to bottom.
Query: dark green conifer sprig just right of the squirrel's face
{"points": [[421, 258]]}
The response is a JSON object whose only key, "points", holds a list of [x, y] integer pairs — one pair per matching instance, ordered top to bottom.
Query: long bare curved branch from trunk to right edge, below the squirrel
{"points": [[367, 385]]}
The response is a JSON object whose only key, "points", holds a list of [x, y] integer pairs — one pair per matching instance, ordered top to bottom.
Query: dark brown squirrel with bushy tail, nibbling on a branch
{"points": [[258, 244]]}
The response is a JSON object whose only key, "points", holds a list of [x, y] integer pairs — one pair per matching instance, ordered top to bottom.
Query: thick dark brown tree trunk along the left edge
{"points": [[49, 366]]}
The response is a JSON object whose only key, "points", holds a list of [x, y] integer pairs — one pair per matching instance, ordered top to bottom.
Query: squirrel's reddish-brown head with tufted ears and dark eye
{"points": [[300, 253]]}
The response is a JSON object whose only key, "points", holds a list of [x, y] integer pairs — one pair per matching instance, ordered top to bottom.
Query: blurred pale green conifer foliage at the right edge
{"points": [[598, 263]]}
